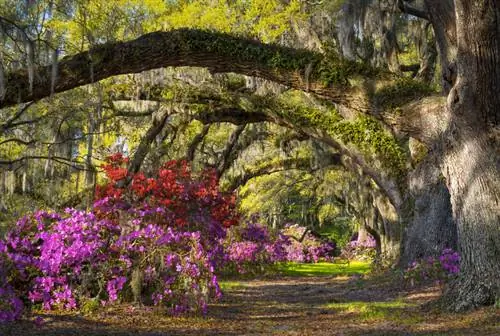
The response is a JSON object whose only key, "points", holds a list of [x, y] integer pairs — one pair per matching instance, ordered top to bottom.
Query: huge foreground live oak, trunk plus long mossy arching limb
{"points": [[460, 127]]}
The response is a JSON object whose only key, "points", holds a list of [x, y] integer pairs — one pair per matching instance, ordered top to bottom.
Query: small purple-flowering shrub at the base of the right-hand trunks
{"points": [[447, 265]]}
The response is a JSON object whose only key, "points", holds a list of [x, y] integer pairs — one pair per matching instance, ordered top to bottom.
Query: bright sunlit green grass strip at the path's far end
{"points": [[323, 269]]}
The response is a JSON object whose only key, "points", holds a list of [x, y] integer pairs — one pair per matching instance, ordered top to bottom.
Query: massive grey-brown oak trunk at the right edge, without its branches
{"points": [[471, 162]]}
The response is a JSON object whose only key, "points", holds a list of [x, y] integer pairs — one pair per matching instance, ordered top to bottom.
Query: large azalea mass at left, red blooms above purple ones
{"points": [[157, 242]]}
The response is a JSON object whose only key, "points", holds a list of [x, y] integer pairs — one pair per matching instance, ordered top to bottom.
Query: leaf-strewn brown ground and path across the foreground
{"points": [[298, 303]]}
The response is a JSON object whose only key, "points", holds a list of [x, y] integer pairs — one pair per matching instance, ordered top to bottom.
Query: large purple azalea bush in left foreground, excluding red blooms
{"points": [[60, 260]]}
